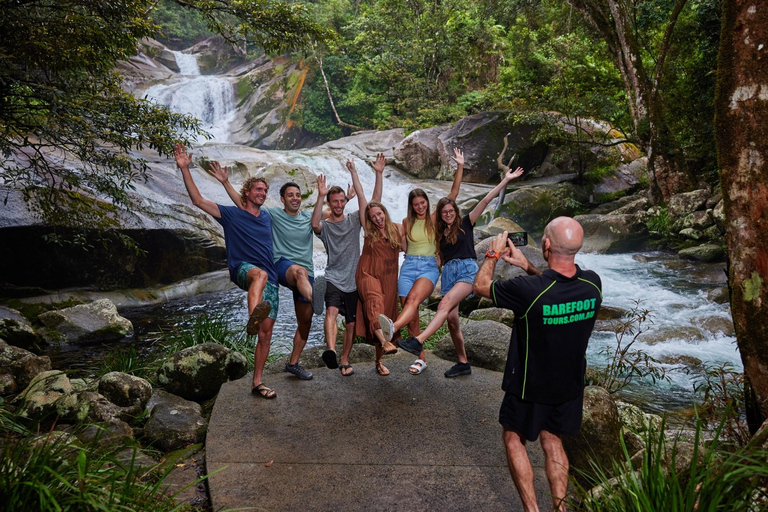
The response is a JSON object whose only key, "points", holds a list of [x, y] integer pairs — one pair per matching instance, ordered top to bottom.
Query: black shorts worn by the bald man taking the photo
{"points": [[530, 418]]}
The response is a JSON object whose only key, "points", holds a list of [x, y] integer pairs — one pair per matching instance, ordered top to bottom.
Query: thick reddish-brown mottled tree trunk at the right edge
{"points": [[741, 123]]}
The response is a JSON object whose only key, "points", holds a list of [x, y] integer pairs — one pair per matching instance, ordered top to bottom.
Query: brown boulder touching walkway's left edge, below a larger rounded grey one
{"points": [[173, 422]]}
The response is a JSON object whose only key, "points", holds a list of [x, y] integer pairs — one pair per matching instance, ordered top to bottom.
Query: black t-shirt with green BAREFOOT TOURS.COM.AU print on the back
{"points": [[554, 317]]}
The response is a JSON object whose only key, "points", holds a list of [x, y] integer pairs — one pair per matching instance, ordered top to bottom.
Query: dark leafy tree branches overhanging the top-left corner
{"points": [[66, 125]]}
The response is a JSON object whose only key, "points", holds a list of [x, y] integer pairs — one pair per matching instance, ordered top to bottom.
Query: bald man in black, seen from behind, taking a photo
{"points": [[555, 312]]}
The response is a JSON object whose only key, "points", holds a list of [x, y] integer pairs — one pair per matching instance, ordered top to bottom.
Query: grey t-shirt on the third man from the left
{"points": [[342, 243]]}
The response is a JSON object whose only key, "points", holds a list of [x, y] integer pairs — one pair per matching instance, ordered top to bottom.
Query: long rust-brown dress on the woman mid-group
{"points": [[376, 279]]}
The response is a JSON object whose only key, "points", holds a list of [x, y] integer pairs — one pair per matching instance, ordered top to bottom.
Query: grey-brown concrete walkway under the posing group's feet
{"points": [[365, 442]]}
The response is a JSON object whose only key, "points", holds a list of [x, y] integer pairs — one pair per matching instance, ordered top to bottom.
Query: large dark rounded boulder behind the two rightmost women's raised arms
{"points": [[481, 137]]}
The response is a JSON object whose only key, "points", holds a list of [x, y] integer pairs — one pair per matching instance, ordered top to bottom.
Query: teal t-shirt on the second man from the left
{"points": [[292, 236]]}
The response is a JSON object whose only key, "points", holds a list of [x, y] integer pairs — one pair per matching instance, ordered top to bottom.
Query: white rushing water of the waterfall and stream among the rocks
{"points": [[685, 332]]}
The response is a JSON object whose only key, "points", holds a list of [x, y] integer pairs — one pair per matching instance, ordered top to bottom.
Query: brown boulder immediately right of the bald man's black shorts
{"points": [[598, 440]]}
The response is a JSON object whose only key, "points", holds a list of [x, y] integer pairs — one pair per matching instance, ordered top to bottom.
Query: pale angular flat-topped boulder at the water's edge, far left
{"points": [[97, 321]]}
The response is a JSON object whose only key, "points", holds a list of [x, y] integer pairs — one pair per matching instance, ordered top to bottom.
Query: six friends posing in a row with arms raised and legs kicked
{"points": [[268, 246]]}
